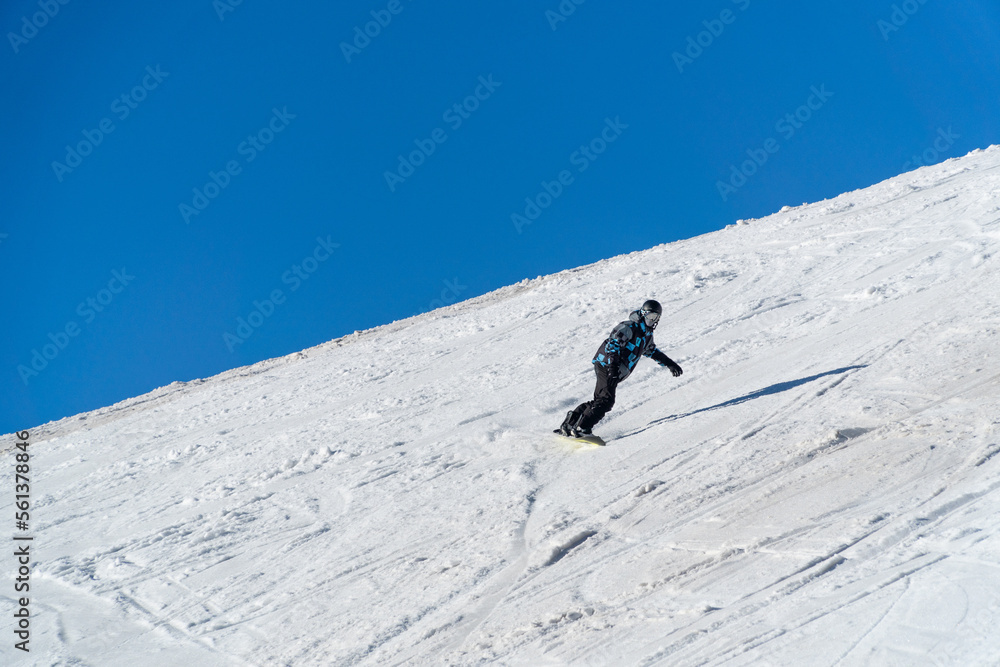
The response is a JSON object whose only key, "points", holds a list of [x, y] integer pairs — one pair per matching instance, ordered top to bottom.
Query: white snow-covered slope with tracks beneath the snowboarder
{"points": [[820, 487]]}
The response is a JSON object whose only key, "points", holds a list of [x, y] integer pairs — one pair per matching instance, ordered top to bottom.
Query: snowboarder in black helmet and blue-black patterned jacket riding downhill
{"points": [[613, 362]]}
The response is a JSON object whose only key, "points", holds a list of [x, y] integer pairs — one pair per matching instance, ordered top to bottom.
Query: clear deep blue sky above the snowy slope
{"points": [[195, 186]]}
